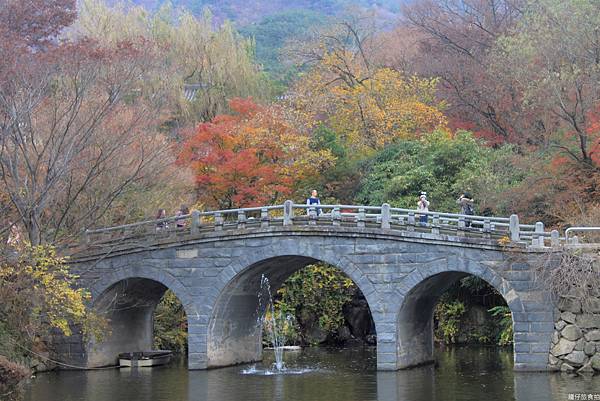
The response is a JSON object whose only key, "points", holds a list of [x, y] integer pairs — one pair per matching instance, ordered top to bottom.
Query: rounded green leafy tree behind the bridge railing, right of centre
{"points": [[443, 166]]}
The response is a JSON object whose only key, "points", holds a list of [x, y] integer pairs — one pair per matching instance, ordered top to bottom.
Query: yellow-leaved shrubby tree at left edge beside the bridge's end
{"points": [[37, 296]]}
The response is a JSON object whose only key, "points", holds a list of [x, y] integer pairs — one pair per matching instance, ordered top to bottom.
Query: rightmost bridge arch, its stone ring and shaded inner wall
{"points": [[421, 291]]}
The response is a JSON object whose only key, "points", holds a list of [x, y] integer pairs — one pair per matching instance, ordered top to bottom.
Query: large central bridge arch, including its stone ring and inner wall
{"points": [[233, 333]]}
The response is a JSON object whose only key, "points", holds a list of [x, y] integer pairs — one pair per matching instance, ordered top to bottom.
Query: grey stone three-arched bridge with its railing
{"points": [[213, 262]]}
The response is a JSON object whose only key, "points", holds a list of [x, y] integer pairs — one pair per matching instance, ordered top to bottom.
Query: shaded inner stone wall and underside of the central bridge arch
{"points": [[234, 332]]}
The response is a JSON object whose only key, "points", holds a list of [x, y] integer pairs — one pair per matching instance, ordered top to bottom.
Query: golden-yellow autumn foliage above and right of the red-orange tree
{"points": [[368, 107]]}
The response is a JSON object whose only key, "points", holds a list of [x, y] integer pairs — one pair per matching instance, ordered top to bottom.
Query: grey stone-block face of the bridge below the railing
{"points": [[401, 275]]}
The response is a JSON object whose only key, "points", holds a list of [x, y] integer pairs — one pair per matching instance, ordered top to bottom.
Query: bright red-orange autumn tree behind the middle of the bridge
{"points": [[251, 158]]}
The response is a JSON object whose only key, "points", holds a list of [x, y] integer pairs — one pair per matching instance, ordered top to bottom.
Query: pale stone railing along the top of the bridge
{"points": [[384, 217]]}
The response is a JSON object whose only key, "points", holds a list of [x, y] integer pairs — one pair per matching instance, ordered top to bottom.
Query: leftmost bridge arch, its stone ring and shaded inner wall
{"points": [[128, 299]]}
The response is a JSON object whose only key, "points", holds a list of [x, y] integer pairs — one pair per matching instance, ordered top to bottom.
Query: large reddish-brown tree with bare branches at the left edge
{"points": [[78, 129]]}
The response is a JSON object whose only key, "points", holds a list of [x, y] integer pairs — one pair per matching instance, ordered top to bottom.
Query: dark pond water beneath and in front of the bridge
{"points": [[344, 374]]}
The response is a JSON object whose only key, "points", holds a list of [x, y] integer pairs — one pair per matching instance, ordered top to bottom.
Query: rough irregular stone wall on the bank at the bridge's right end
{"points": [[576, 338]]}
